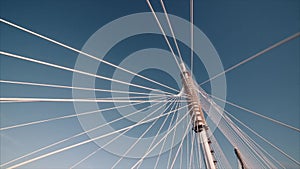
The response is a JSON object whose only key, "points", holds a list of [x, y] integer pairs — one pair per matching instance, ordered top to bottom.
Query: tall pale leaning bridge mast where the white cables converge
{"points": [[196, 113]]}
